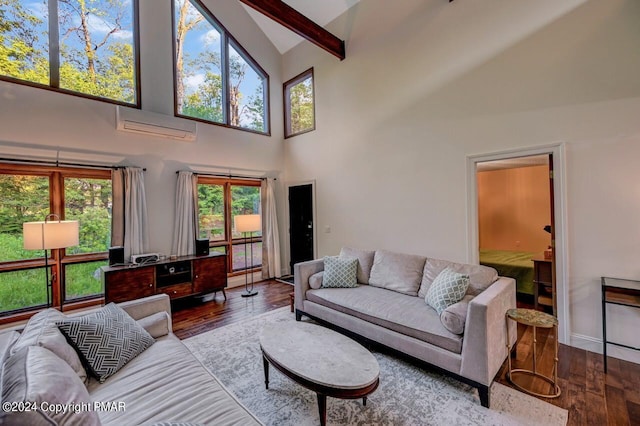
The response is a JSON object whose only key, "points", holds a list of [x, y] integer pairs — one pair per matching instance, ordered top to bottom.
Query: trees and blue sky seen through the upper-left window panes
{"points": [[100, 67]]}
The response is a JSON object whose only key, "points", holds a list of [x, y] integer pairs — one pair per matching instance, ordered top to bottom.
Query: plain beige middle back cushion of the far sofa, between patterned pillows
{"points": [[397, 271]]}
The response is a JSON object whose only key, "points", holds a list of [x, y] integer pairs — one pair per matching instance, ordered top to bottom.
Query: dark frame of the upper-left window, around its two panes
{"points": [[54, 61]]}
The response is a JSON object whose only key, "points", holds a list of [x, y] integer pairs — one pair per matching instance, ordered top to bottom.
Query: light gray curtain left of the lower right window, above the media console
{"points": [[185, 224]]}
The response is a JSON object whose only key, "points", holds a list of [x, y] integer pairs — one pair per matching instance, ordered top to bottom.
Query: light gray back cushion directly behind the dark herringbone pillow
{"points": [[41, 331]]}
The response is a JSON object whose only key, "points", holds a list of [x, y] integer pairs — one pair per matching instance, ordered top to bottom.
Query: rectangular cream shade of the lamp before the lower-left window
{"points": [[50, 235]]}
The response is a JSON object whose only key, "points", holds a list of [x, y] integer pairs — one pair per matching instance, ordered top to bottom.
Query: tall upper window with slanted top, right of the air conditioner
{"points": [[215, 78]]}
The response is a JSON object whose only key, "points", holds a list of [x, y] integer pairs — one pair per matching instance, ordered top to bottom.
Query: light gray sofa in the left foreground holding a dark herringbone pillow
{"points": [[163, 384]]}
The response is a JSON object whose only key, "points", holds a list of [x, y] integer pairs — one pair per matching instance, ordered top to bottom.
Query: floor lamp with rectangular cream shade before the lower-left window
{"points": [[53, 233]]}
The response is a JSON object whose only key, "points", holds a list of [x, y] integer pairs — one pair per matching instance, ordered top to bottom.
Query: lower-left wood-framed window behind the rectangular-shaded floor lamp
{"points": [[28, 194]]}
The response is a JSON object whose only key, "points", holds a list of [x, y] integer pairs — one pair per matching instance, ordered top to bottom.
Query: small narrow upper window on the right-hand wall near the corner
{"points": [[299, 105]]}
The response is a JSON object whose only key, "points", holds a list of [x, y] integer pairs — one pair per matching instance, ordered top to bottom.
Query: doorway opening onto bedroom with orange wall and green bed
{"points": [[515, 225]]}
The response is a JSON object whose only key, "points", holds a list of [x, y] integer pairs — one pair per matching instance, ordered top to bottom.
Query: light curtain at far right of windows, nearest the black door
{"points": [[270, 235]]}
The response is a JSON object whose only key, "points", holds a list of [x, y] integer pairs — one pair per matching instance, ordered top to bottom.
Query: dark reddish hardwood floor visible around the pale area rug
{"points": [[590, 396]]}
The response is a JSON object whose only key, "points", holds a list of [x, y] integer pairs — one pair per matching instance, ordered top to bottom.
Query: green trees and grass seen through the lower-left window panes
{"points": [[26, 198]]}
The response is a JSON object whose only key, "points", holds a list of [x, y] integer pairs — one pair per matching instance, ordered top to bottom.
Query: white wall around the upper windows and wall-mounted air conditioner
{"points": [[40, 122]]}
